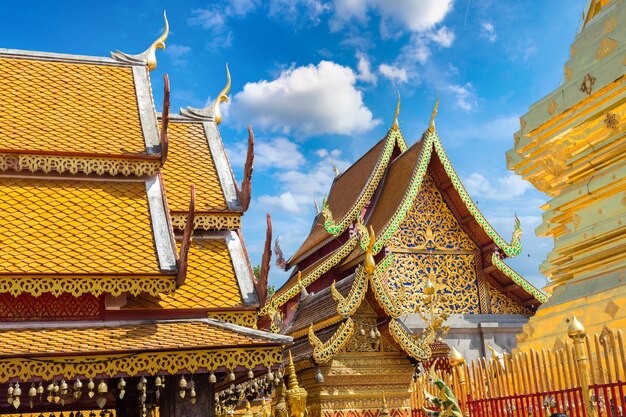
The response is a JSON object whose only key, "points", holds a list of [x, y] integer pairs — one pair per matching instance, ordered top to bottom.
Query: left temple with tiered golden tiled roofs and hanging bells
{"points": [[124, 280]]}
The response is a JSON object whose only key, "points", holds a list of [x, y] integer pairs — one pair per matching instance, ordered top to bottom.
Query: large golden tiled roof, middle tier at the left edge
{"points": [[75, 227]]}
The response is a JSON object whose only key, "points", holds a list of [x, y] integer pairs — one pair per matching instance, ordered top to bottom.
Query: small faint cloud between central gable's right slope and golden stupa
{"points": [[504, 188]]}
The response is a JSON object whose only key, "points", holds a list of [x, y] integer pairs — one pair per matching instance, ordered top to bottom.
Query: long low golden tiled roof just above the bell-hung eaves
{"points": [[162, 335]]}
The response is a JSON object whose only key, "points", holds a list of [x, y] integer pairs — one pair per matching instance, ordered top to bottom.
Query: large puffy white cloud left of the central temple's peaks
{"points": [[308, 100]]}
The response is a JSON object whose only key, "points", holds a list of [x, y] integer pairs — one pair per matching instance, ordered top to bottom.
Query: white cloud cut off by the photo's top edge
{"points": [[411, 15]]}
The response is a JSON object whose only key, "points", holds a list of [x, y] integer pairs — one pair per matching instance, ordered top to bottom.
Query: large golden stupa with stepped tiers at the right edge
{"points": [[570, 146]]}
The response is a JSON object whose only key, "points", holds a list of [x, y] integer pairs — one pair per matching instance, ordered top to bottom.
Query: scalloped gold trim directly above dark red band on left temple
{"points": [[77, 286]]}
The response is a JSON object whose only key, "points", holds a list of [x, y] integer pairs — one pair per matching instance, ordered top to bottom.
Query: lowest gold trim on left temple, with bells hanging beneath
{"points": [[94, 366]]}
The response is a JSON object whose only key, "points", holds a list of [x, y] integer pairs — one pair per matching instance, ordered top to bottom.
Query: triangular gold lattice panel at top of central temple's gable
{"points": [[430, 224]]}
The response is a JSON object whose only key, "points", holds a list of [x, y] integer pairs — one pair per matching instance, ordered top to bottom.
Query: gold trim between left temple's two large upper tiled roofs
{"points": [[74, 165]]}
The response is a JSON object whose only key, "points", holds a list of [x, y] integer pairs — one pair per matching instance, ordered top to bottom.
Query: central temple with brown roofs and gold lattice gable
{"points": [[397, 251]]}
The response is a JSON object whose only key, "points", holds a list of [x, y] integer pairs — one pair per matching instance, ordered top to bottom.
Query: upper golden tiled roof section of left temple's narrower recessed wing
{"points": [[189, 162]]}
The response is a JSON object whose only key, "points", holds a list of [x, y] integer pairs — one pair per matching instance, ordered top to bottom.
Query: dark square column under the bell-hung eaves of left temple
{"points": [[173, 405]]}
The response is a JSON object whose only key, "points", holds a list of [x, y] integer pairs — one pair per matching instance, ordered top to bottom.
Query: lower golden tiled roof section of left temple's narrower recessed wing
{"points": [[210, 282]]}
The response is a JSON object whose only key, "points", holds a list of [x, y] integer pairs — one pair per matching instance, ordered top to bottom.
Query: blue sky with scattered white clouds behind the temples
{"points": [[317, 80]]}
